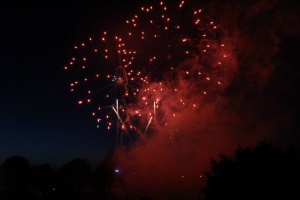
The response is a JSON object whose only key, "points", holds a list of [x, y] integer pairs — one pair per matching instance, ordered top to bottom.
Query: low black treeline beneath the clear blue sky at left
{"points": [[73, 180]]}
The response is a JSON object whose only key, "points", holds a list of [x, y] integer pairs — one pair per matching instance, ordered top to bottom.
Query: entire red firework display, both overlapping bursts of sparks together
{"points": [[161, 51]]}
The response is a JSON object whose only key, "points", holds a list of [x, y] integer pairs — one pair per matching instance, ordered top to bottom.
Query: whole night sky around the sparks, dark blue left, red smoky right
{"points": [[258, 98]]}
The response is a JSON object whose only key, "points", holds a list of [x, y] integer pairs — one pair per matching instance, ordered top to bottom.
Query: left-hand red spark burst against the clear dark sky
{"points": [[105, 79]]}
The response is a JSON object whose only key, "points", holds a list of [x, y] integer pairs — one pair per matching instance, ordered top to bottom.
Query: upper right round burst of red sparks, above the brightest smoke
{"points": [[167, 36]]}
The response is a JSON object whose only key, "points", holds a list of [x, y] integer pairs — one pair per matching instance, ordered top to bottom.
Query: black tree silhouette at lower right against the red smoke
{"points": [[262, 172]]}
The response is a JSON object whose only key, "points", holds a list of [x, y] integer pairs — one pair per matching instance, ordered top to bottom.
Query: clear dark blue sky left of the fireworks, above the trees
{"points": [[39, 117]]}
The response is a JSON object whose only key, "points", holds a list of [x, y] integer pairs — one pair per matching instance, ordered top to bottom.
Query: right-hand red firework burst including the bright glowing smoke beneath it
{"points": [[178, 47]]}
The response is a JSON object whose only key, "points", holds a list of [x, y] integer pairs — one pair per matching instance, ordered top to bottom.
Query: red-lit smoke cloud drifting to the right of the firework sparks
{"points": [[197, 120]]}
